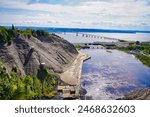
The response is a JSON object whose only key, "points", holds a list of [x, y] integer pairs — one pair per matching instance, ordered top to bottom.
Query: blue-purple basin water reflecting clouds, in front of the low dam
{"points": [[111, 75]]}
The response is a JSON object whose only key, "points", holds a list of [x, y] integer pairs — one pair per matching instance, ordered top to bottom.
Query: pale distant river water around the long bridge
{"points": [[71, 37]]}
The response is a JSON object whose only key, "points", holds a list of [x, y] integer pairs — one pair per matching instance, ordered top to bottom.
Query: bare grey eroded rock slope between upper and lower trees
{"points": [[27, 54]]}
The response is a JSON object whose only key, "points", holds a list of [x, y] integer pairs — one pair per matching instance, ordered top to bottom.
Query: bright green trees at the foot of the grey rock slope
{"points": [[13, 86]]}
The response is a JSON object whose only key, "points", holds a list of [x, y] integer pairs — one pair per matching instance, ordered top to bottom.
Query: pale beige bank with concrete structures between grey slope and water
{"points": [[71, 77]]}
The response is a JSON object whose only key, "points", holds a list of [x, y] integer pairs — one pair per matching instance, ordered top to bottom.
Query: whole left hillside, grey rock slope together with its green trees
{"points": [[14, 85]]}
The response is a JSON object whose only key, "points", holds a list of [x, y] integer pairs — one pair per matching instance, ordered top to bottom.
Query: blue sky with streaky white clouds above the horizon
{"points": [[99, 14]]}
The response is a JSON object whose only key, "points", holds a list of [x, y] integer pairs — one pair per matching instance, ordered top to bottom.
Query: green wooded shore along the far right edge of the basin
{"points": [[141, 51]]}
